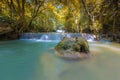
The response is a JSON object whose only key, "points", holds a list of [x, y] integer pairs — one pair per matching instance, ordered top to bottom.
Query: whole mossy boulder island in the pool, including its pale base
{"points": [[73, 48]]}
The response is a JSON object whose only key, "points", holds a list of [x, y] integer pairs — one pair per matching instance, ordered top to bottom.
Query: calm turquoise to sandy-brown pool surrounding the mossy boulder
{"points": [[34, 60]]}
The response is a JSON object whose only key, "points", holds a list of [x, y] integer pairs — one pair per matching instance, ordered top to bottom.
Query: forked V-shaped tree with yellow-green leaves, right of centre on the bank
{"points": [[94, 12]]}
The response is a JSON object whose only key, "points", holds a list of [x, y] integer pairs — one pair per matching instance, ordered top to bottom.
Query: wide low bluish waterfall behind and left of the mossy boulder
{"points": [[48, 37]]}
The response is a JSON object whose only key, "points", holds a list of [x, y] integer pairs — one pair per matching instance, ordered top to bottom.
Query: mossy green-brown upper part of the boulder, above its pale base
{"points": [[72, 46]]}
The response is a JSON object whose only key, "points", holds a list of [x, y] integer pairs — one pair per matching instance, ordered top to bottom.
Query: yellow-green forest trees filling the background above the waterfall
{"points": [[89, 16]]}
